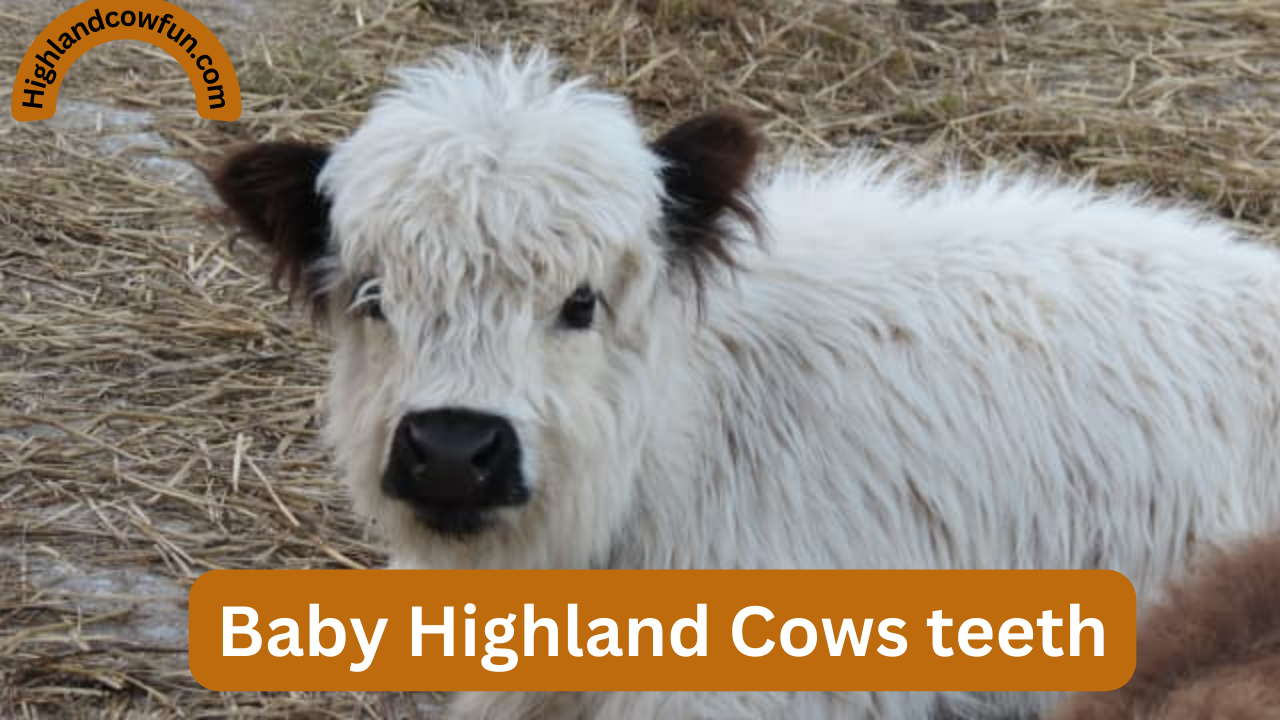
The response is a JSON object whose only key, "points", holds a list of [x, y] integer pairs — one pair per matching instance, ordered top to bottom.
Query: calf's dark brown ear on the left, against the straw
{"points": [[271, 192]]}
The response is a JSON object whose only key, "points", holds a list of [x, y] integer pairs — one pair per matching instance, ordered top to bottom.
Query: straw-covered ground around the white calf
{"points": [[159, 400]]}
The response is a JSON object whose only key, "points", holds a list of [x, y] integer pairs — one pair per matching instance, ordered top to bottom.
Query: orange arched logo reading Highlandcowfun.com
{"points": [[89, 25]]}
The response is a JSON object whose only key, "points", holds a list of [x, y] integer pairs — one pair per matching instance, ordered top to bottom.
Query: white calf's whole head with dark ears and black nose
{"points": [[500, 259]]}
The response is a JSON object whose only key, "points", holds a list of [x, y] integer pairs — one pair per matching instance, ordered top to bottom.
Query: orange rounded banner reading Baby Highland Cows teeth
{"points": [[662, 631]]}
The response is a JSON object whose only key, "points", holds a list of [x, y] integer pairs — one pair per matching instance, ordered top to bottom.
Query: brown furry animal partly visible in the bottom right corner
{"points": [[1212, 651]]}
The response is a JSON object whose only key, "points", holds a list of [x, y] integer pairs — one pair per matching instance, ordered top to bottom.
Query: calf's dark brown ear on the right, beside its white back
{"points": [[710, 161]]}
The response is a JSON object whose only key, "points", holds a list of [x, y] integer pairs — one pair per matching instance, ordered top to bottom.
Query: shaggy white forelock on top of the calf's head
{"points": [[478, 170]]}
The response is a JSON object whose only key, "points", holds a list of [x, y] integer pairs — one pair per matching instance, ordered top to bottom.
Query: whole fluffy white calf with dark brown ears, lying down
{"points": [[557, 347]]}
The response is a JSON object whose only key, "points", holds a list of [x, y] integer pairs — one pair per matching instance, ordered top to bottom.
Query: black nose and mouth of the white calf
{"points": [[454, 466]]}
